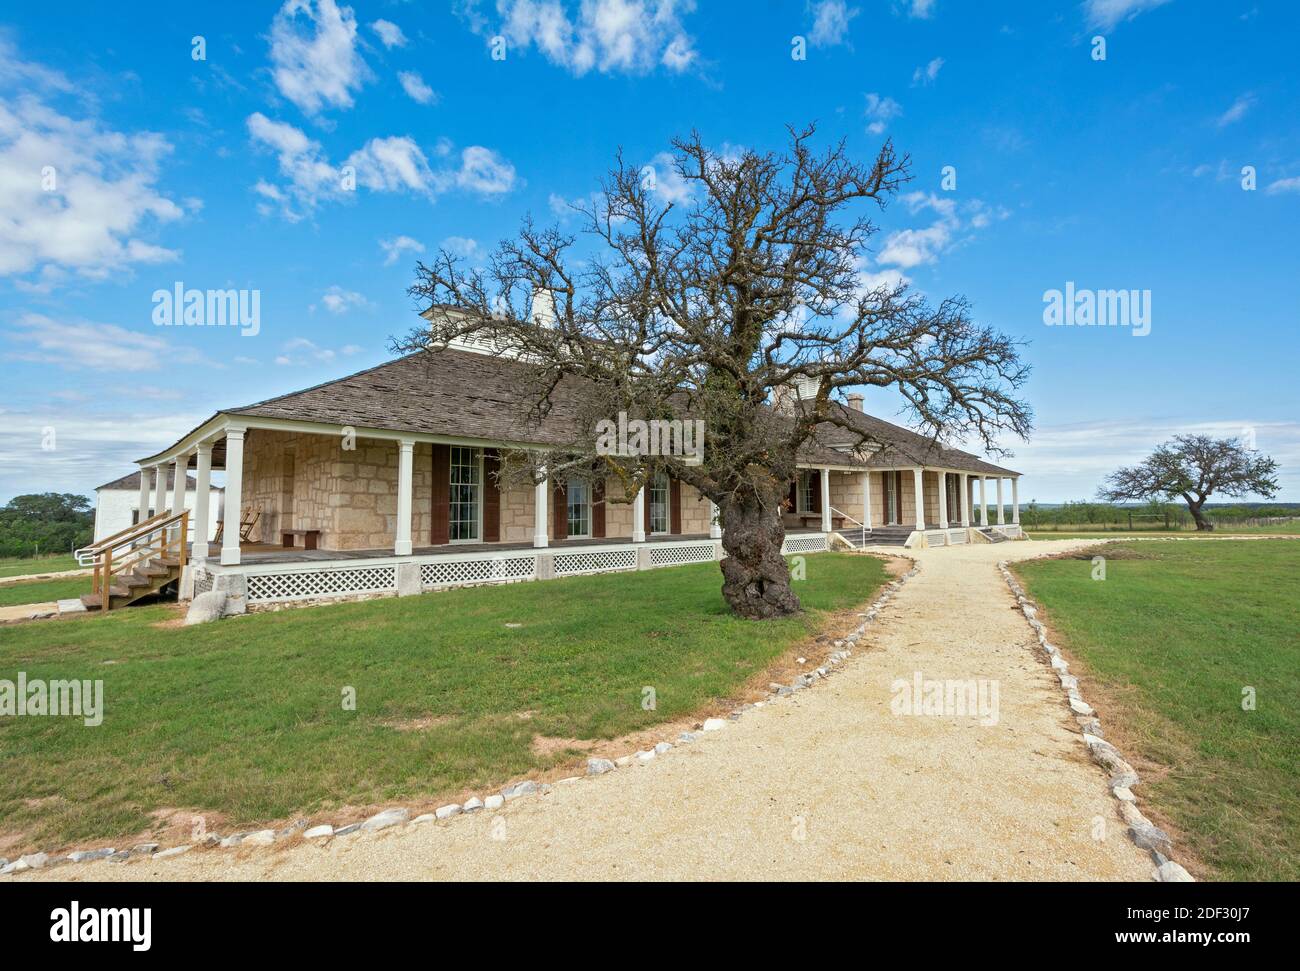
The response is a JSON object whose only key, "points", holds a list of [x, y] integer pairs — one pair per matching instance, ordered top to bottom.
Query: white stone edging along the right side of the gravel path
{"points": [[1124, 777]]}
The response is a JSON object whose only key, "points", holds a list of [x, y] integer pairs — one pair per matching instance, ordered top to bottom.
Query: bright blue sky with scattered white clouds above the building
{"points": [[223, 172]]}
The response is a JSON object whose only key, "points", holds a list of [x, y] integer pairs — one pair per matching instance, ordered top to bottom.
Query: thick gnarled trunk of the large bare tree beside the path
{"points": [[756, 579]]}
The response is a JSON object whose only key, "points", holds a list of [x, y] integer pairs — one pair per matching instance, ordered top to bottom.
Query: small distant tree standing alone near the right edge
{"points": [[1195, 469]]}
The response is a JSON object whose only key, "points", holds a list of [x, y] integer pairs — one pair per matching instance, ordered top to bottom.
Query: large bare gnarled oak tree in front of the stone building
{"points": [[713, 309]]}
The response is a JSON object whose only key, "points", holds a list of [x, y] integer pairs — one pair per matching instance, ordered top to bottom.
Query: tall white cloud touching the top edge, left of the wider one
{"points": [[314, 55]]}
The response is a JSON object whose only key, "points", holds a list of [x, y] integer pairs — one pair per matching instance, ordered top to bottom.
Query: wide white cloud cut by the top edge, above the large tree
{"points": [[632, 37]]}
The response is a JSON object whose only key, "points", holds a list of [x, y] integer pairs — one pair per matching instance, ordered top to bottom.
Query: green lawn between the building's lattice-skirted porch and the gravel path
{"points": [[245, 718]]}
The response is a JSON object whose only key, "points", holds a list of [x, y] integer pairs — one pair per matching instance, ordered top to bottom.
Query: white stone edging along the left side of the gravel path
{"points": [[401, 816]]}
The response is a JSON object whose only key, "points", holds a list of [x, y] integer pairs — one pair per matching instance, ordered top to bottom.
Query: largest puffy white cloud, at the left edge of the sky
{"points": [[75, 196]]}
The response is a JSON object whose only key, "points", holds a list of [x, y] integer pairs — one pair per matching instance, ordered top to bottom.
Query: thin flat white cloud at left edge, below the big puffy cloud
{"points": [[90, 346]]}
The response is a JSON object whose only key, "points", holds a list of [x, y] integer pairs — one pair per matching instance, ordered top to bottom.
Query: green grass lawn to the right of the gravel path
{"points": [[1172, 638]]}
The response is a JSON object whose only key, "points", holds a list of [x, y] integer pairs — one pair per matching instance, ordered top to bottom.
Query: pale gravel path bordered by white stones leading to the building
{"points": [[827, 784]]}
